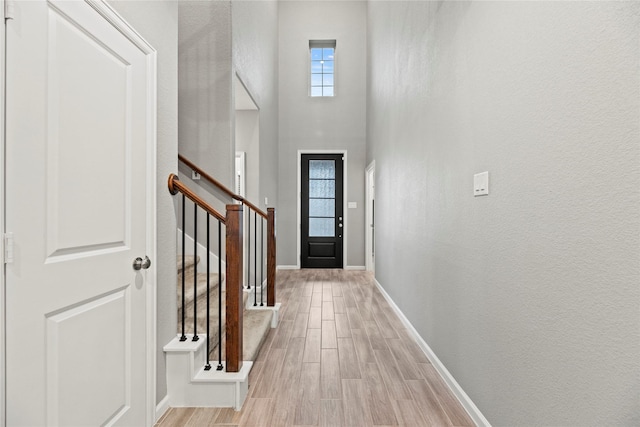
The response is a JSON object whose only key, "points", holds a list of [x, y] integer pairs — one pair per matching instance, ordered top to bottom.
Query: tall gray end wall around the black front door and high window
{"points": [[335, 123]]}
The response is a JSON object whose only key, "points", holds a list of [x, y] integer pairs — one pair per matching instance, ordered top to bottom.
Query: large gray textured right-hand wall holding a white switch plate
{"points": [[529, 296]]}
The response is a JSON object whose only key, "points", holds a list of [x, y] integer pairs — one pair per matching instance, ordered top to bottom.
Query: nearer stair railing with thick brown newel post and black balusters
{"points": [[232, 222]]}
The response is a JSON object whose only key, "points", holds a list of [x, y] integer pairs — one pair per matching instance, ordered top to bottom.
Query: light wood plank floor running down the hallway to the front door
{"points": [[339, 357]]}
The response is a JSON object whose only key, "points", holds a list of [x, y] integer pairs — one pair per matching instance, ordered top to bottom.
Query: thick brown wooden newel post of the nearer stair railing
{"points": [[234, 288]]}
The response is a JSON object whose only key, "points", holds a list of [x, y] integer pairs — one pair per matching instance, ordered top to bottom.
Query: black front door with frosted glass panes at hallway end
{"points": [[321, 220]]}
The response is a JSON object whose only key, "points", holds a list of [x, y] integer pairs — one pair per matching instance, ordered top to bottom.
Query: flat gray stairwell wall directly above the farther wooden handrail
{"points": [[205, 85]]}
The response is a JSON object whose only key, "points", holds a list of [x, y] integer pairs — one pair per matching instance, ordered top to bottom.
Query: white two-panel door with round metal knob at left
{"points": [[80, 120]]}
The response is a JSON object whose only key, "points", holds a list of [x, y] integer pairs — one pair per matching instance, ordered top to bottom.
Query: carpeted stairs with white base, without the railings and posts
{"points": [[189, 383]]}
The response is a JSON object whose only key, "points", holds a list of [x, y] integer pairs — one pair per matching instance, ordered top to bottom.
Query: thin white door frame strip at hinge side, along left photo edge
{"points": [[3, 376]]}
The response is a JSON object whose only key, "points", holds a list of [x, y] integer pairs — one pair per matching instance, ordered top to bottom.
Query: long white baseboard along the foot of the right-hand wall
{"points": [[466, 402]]}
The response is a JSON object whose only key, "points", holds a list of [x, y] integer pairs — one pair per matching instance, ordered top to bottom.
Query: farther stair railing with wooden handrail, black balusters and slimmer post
{"points": [[256, 222]]}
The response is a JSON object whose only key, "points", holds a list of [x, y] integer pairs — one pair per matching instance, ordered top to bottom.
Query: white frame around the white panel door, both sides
{"points": [[115, 19]]}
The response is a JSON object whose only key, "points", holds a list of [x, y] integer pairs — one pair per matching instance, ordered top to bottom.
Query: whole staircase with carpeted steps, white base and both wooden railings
{"points": [[209, 367]]}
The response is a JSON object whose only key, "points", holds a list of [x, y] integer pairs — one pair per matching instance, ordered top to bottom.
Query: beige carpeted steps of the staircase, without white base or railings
{"points": [[256, 321]]}
